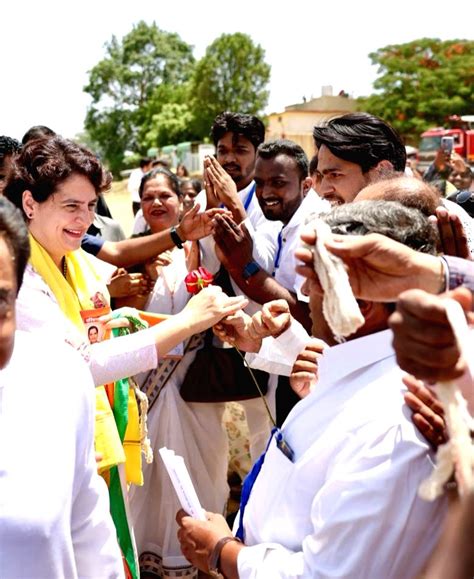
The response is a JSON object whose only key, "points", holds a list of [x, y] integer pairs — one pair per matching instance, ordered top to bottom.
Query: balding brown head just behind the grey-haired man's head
{"points": [[408, 191]]}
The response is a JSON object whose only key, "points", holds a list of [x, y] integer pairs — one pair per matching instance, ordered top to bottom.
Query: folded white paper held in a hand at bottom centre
{"points": [[182, 483]]}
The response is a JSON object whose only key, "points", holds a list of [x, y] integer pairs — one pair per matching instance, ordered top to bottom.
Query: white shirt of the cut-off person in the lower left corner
{"points": [[54, 519]]}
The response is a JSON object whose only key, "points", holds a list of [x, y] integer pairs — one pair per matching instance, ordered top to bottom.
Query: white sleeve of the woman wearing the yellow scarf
{"points": [[38, 310]]}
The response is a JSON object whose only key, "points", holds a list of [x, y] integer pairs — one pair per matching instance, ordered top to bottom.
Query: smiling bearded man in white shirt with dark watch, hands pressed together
{"points": [[262, 264]]}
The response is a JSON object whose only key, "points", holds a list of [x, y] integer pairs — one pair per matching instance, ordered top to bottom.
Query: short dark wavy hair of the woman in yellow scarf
{"points": [[45, 163]]}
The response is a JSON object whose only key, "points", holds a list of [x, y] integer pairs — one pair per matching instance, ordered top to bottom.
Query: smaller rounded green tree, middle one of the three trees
{"points": [[232, 75]]}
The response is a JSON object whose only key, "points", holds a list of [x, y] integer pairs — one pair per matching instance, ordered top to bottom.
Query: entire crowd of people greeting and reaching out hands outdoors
{"points": [[340, 433]]}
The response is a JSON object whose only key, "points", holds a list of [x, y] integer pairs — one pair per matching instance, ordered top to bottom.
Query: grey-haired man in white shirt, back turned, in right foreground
{"points": [[336, 493]]}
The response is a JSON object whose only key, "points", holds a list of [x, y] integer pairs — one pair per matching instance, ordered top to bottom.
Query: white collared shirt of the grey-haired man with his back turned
{"points": [[348, 505]]}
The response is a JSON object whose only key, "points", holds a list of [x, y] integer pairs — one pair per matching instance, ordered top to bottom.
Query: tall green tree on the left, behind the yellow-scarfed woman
{"points": [[131, 84]]}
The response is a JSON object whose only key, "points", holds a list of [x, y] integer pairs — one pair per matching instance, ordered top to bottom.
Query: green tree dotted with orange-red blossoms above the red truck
{"points": [[421, 83]]}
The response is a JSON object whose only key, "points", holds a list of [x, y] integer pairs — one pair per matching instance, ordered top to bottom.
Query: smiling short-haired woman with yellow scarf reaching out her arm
{"points": [[55, 183]]}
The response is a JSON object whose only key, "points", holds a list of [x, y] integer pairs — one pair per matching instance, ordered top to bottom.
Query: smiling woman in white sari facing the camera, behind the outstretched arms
{"points": [[193, 431]]}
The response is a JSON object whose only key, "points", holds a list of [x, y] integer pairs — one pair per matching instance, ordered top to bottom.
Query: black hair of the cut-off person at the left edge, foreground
{"points": [[14, 231]]}
